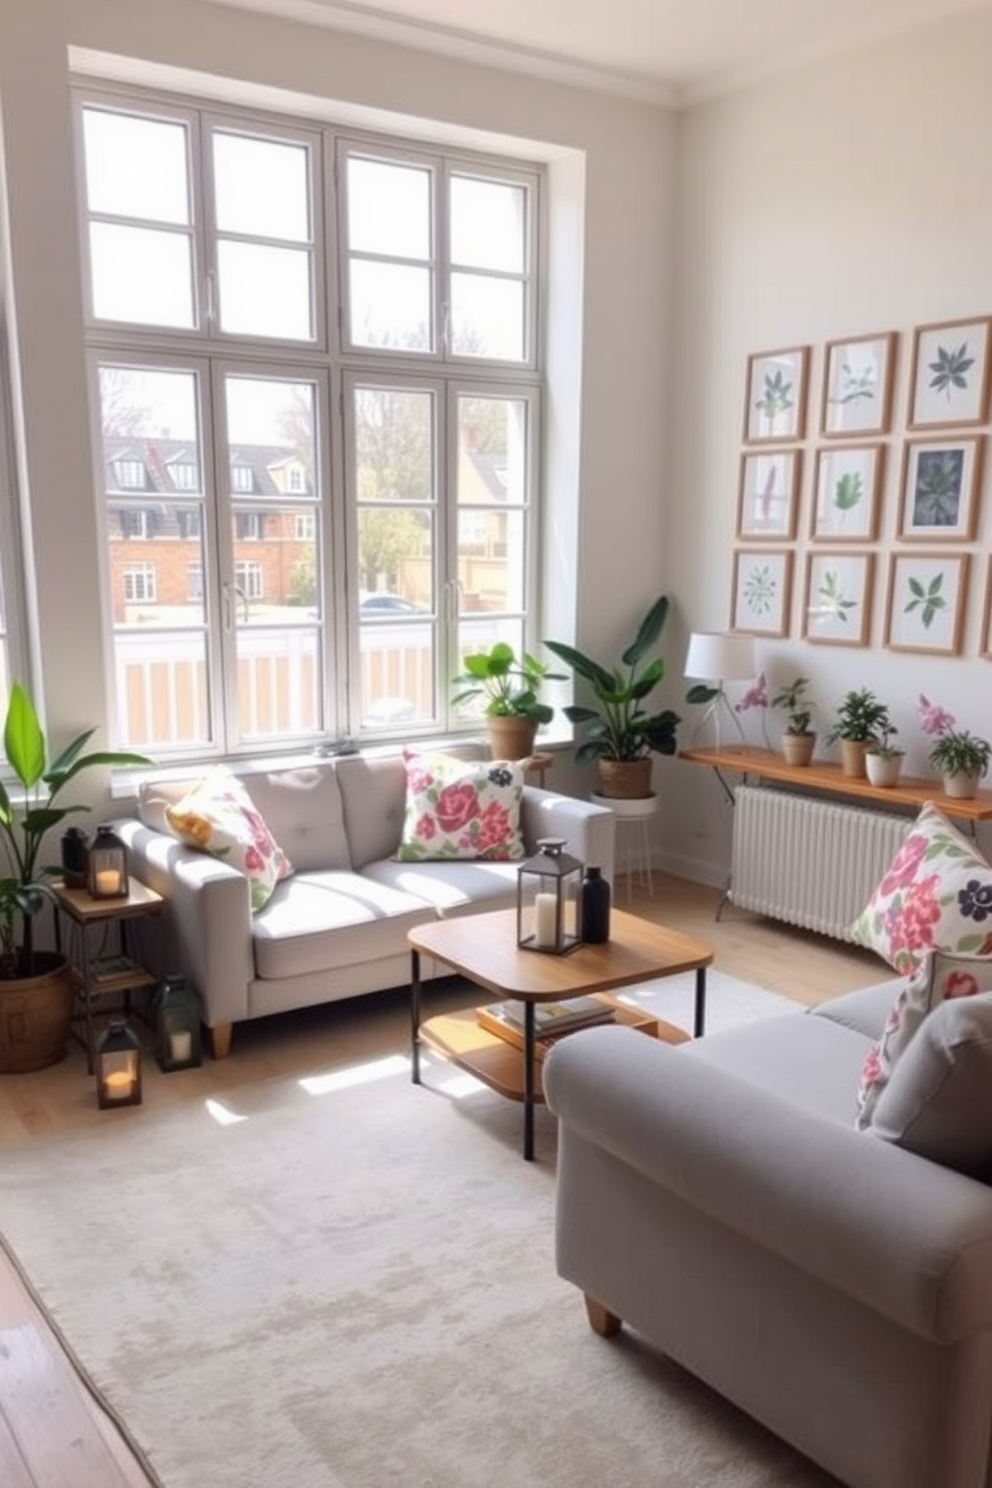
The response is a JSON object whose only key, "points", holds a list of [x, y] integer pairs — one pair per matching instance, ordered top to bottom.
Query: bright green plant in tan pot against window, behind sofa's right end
{"points": [[511, 690]]}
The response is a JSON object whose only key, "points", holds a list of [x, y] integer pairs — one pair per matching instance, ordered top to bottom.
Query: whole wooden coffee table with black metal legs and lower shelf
{"points": [[484, 950]]}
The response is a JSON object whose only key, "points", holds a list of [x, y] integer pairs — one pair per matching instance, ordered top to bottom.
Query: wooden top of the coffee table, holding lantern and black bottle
{"points": [[484, 949]]}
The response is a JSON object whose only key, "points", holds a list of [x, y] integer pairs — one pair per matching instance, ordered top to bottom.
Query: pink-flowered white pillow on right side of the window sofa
{"points": [[462, 809]]}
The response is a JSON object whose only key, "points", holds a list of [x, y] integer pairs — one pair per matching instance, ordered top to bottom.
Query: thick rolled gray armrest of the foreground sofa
{"points": [[899, 1234]]}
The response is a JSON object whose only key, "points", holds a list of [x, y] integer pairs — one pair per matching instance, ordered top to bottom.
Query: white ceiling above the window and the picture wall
{"points": [[664, 51]]}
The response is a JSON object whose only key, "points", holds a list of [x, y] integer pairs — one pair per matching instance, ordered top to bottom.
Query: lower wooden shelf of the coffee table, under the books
{"points": [[499, 1065]]}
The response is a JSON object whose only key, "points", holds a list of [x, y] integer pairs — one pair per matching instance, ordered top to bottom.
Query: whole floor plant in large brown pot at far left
{"points": [[36, 987]]}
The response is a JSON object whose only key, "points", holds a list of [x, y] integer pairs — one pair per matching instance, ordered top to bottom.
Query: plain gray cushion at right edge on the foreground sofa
{"points": [[939, 1100]]}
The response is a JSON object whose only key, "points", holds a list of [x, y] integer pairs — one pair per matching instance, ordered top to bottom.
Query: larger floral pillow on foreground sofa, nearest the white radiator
{"points": [[936, 895]]}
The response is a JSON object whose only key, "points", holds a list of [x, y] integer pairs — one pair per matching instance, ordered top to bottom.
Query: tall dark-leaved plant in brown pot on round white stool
{"points": [[621, 733]]}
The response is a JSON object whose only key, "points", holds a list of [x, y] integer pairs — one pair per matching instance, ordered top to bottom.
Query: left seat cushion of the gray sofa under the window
{"points": [[328, 920]]}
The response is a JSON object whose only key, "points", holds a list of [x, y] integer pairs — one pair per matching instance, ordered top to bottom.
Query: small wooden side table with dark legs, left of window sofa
{"points": [[93, 978]]}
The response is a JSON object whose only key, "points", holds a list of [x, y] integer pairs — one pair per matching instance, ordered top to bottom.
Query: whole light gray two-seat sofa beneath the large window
{"points": [[338, 926]]}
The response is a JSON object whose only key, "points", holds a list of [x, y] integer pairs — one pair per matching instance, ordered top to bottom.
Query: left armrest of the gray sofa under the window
{"points": [[207, 919]]}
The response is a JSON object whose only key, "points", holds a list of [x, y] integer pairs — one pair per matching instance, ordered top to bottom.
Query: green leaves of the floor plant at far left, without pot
{"points": [[25, 889]]}
